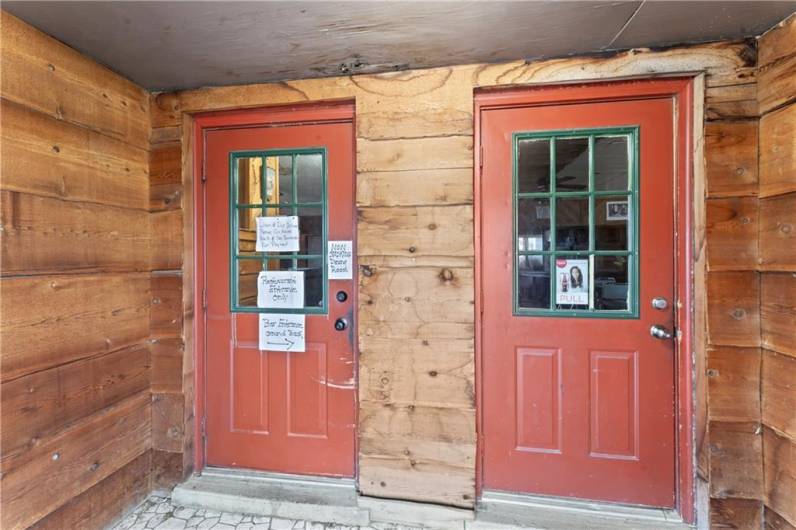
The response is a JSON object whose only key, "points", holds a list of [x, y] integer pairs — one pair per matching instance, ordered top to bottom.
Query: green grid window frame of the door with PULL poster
{"points": [[632, 193]]}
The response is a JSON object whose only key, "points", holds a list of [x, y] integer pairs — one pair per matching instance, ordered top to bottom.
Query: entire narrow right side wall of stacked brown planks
{"points": [[777, 265]]}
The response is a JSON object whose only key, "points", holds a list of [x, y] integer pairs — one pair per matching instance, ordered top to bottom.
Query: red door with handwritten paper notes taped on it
{"points": [[280, 411]]}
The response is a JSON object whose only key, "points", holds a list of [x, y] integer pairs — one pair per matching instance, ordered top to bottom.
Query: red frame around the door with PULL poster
{"points": [[681, 90]]}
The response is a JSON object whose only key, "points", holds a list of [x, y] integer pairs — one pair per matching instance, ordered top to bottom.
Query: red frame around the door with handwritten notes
{"points": [[321, 112]]}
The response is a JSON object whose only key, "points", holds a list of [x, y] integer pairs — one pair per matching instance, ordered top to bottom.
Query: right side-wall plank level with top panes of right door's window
{"points": [[778, 152]]}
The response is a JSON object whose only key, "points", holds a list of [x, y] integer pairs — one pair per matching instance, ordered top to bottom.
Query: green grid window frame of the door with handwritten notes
{"points": [[235, 206]]}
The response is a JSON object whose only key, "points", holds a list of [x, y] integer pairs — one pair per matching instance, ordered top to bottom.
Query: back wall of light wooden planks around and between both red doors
{"points": [[414, 198]]}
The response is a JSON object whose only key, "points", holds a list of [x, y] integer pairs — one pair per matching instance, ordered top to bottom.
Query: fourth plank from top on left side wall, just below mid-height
{"points": [[114, 314]]}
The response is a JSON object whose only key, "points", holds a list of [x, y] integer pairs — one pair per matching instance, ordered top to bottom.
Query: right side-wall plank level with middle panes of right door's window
{"points": [[778, 233]]}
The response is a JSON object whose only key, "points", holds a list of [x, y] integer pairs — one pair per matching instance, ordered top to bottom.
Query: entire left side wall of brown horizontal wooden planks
{"points": [[74, 292]]}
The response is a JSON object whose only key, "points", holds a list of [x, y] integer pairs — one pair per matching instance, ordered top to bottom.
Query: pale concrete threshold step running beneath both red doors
{"points": [[332, 500]]}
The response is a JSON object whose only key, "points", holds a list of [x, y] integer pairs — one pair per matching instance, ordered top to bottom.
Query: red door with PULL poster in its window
{"points": [[577, 215]]}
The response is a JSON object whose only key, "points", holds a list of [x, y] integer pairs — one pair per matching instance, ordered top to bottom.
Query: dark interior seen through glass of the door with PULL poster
{"points": [[576, 190]]}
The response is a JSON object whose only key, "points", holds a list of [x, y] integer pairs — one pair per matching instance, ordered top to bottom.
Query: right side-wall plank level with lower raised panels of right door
{"points": [[779, 393]]}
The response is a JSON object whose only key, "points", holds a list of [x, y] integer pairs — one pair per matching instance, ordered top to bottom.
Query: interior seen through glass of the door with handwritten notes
{"points": [[273, 180]]}
